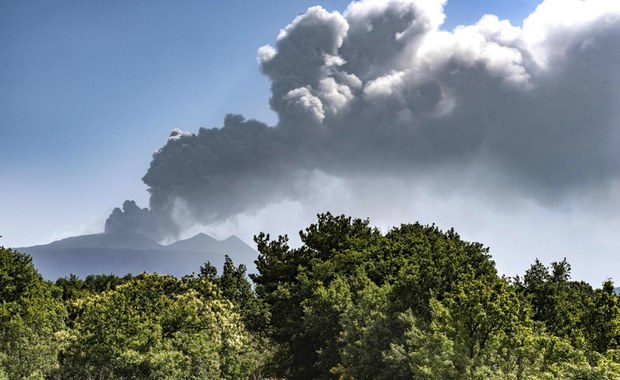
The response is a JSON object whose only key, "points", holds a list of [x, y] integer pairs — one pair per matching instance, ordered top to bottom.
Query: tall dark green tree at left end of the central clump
{"points": [[288, 277]]}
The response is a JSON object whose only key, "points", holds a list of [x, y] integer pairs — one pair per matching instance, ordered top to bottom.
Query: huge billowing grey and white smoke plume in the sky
{"points": [[381, 89]]}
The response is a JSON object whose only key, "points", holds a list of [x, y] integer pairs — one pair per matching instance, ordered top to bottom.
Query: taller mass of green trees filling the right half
{"points": [[417, 302]]}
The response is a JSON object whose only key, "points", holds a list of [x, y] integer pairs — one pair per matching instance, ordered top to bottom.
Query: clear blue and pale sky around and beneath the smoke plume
{"points": [[90, 89]]}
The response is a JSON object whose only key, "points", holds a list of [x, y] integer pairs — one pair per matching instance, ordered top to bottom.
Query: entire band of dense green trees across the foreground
{"points": [[350, 303]]}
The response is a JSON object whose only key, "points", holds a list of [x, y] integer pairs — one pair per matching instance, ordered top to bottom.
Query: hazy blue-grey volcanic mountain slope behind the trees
{"points": [[122, 253]]}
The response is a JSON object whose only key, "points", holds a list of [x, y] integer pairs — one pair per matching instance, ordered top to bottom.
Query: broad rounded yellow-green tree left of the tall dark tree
{"points": [[156, 327]]}
